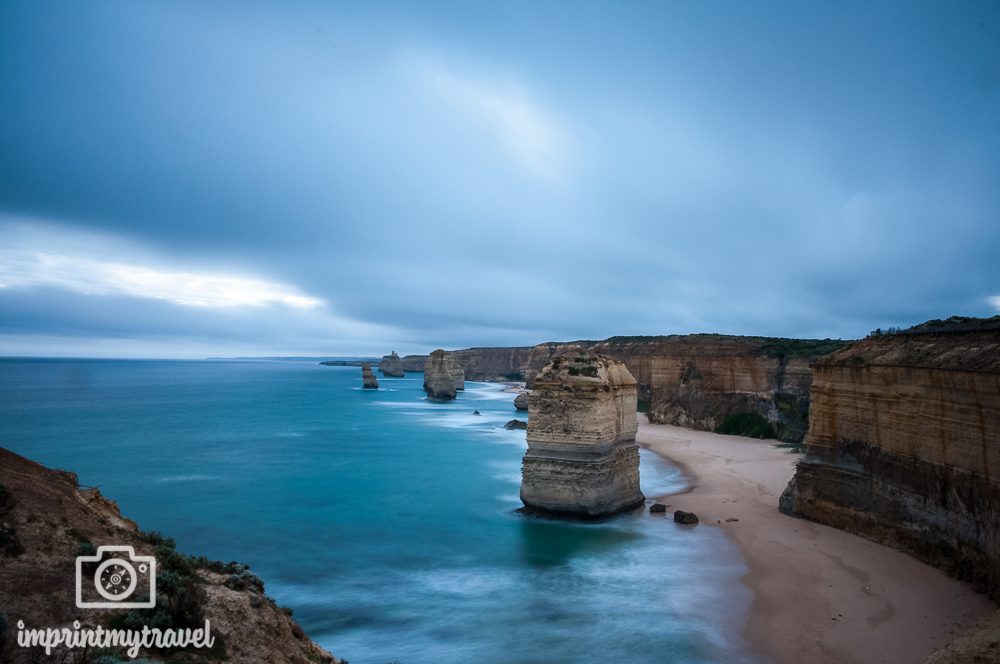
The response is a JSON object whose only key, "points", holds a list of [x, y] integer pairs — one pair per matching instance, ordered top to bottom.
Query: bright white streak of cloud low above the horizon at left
{"points": [[69, 268]]}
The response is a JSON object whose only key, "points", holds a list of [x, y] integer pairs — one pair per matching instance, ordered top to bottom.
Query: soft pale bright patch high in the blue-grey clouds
{"points": [[530, 133]]}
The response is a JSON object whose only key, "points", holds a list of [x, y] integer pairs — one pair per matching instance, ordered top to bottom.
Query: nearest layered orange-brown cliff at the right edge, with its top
{"points": [[904, 448]]}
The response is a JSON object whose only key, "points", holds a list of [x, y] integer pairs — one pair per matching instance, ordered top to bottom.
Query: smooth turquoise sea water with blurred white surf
{"points": [[386, 521]]}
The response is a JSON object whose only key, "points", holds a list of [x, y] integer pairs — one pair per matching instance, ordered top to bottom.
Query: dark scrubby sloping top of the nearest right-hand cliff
{"points": [[969, 350]]}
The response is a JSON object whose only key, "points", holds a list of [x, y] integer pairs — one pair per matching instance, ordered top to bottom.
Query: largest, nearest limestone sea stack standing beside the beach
{"points": [[582, 459]]}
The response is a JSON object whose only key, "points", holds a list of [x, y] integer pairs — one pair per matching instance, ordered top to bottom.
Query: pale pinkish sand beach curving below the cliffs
{"points": [[820, 594]]}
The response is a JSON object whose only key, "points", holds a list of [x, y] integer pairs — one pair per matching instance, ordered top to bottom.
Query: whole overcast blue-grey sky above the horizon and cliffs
{"points": [[185, 179]]}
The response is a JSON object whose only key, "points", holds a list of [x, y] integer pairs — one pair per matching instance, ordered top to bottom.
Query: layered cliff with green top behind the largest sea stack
{"points": [[713, 382]]}
